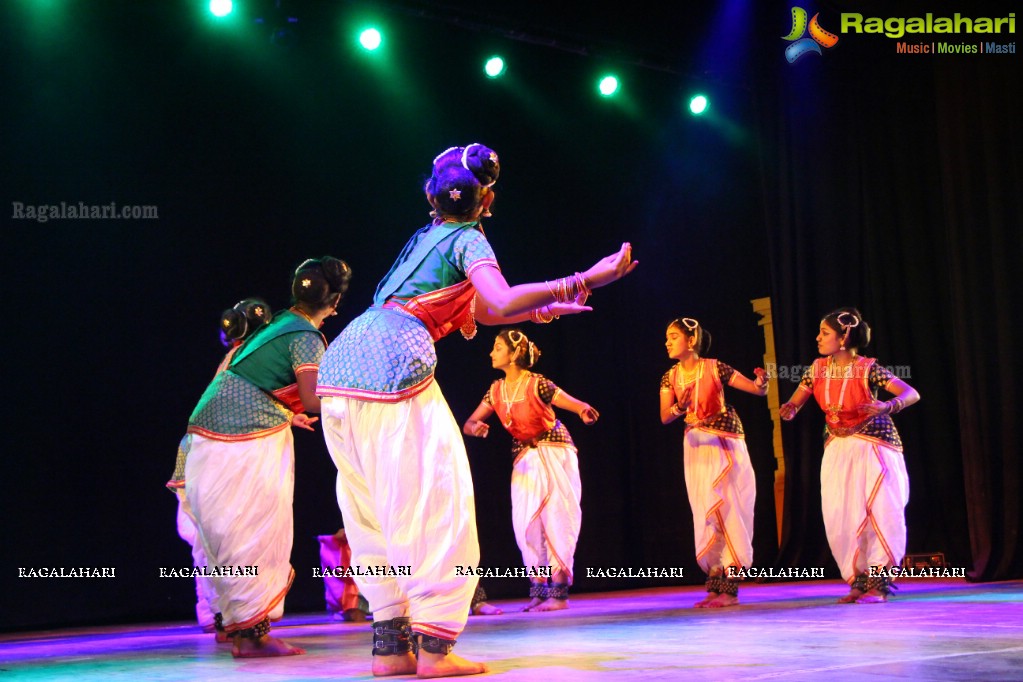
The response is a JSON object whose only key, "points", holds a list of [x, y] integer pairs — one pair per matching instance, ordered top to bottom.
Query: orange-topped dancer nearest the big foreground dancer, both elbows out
{"points": [[546, 486]]}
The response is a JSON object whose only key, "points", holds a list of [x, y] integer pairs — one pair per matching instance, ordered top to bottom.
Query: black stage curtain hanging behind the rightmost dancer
{"points": [[892, 184]]}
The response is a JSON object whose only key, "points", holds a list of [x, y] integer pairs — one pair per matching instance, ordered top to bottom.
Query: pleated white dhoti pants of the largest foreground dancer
{"points": [[406, 492]]}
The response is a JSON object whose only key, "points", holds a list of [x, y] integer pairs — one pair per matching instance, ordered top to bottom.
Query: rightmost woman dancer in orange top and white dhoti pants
{"points": [[864, 484]]}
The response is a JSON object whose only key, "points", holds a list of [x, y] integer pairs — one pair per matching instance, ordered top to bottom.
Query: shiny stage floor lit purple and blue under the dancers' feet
{"points": [[931, 630]]}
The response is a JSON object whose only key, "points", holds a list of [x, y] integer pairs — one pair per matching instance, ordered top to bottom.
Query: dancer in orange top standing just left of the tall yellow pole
{"points": [[719, 475]]}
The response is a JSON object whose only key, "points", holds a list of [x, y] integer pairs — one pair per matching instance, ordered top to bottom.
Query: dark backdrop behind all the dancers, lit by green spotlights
{"points": [[860, 176]]}
